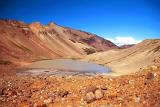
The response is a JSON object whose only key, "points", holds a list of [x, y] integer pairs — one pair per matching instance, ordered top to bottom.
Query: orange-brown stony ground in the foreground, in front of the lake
{"points": [[137, 90]]}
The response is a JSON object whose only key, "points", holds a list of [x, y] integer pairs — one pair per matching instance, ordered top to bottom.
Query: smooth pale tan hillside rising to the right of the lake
{"points": [[129, 60]]}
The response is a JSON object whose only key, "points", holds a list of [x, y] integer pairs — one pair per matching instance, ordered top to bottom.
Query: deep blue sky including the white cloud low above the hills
{"points": [[117, 20]]}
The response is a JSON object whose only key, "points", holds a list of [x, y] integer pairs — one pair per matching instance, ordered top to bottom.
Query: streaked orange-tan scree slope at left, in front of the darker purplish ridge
{"points": [[20, 41]]}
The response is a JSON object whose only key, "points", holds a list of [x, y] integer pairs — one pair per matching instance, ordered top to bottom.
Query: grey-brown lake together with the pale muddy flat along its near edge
{"points": [[65, 67]]}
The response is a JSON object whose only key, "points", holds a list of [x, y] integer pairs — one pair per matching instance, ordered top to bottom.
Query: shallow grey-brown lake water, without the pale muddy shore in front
{"points": [[71, 65]]}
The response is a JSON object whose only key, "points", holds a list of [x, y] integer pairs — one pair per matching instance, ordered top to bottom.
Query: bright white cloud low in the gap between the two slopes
{"points": [[124, 40]]}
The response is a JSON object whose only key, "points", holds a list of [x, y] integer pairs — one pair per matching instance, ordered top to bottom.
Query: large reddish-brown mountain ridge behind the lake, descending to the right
{"points": [[21, 41]]}
